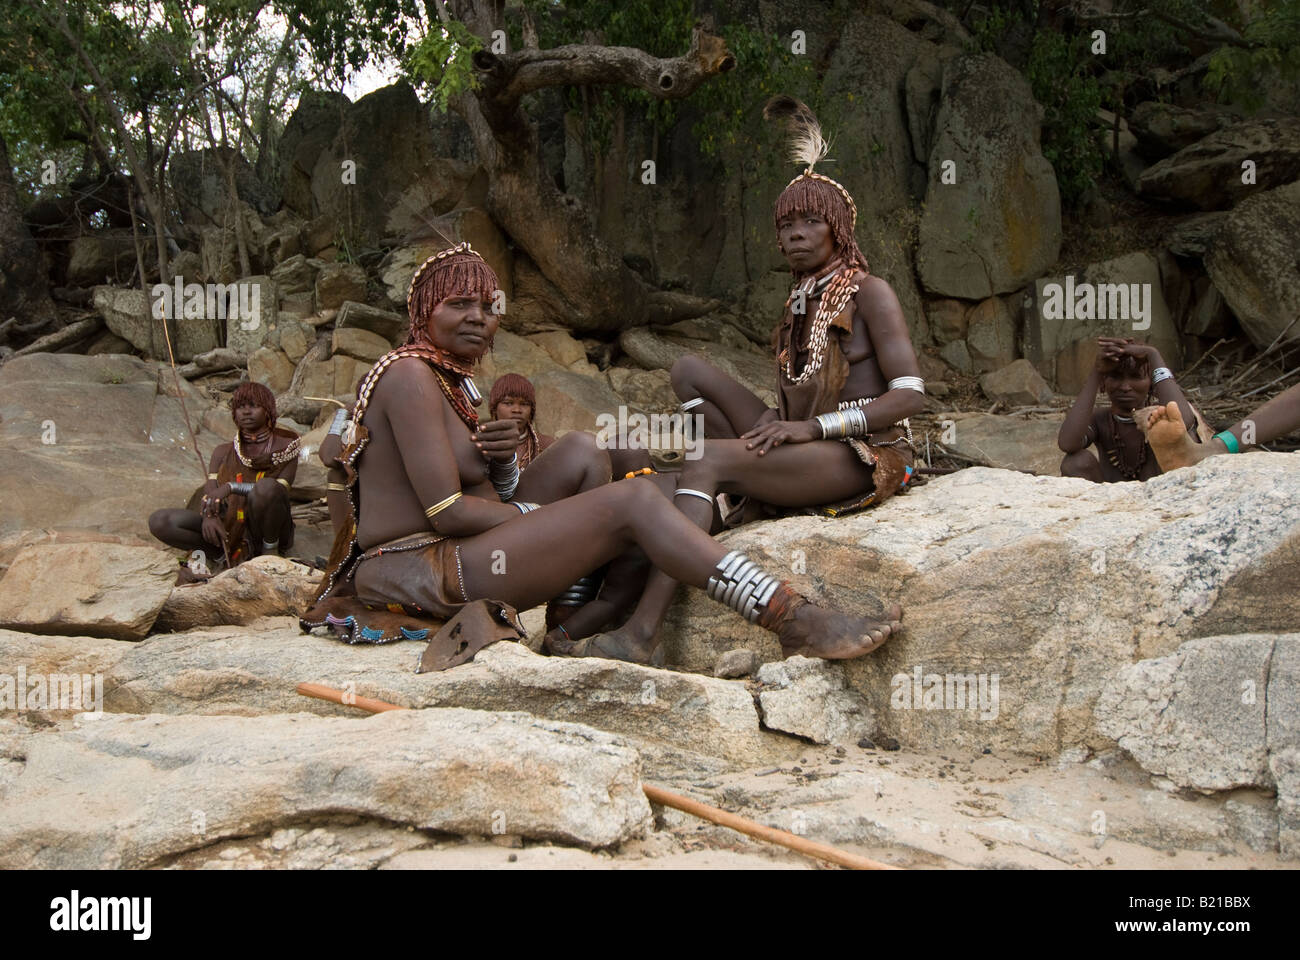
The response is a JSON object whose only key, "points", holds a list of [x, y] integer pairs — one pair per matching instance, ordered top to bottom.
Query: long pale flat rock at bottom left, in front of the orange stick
{"points": [[128, 793]]}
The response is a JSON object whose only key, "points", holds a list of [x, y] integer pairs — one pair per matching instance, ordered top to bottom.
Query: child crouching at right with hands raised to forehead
{"points": [[1130, 374]]}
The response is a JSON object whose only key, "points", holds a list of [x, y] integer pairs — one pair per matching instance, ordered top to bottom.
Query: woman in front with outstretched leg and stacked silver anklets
{"points": [[443, 520]]}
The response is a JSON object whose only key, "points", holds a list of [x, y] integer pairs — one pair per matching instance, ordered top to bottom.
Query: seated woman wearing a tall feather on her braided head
{"points": [[848, 380]]}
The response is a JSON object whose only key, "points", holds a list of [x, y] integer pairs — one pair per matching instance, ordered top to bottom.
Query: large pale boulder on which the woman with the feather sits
{"points": [[1045, 587]]}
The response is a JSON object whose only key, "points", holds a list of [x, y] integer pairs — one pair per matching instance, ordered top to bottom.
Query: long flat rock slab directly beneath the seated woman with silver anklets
{"points": [[678, 721]]}
